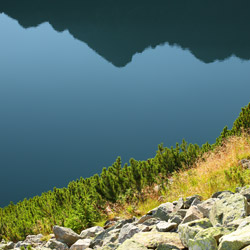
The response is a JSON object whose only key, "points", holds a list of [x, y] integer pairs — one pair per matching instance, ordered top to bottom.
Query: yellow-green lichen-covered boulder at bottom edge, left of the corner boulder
{"points": [[208, 239]]}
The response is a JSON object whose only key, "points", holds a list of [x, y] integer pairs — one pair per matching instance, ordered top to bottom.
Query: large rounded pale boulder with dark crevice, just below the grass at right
{"points": [[228, 209]]}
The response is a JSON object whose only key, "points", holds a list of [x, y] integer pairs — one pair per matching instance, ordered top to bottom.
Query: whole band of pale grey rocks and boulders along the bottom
{"points": [[219, 223]]}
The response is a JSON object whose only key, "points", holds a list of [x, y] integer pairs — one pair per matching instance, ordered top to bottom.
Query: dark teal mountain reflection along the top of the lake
{"points": [[117, 29]]}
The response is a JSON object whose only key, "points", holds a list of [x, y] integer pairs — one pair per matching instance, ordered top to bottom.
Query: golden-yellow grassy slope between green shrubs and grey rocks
{"points": [[217, 170]]}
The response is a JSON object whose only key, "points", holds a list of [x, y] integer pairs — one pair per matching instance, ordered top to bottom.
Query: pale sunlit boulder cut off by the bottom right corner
{"points": [[236, 240]]}
